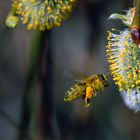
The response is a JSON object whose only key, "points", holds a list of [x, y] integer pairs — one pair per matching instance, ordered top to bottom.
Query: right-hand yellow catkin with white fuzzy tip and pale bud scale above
{"points": [[124, 58]]}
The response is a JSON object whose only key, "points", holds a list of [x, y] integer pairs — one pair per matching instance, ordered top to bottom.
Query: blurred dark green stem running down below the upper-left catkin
{"points": [[28, 97]]}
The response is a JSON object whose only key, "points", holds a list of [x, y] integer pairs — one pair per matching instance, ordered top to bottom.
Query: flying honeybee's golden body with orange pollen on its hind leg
{"points": [[86, 88]]}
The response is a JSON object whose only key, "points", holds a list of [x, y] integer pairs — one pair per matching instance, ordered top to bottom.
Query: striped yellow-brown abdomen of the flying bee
{"points": [[75, 92]]}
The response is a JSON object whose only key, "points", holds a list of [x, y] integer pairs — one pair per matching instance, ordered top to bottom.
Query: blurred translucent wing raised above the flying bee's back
{"points": [[75, 76]]}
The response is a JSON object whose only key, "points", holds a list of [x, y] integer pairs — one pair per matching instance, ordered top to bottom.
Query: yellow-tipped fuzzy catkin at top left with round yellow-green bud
{"points": [[42, 14]]}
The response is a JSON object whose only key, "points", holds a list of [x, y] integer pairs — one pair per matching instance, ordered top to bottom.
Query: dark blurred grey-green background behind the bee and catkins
{"points": [[32, 84]]}
